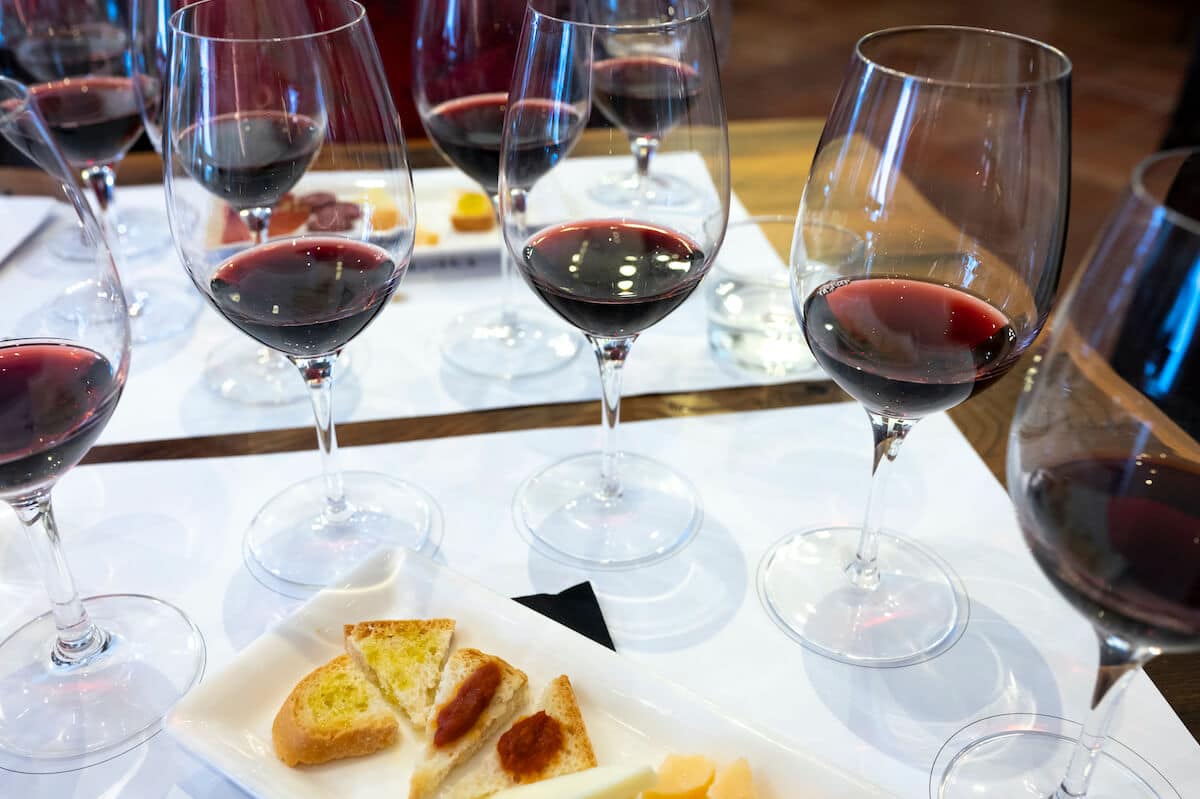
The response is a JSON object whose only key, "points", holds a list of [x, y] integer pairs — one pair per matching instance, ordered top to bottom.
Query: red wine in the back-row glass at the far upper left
{"points": [[94, 121]]}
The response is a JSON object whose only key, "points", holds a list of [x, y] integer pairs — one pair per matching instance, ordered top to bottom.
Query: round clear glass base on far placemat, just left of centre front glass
{"points": [[490, 344]]}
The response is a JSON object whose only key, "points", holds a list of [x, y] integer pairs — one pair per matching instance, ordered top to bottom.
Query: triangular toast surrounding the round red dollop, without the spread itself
{"points": [[574, 753]]}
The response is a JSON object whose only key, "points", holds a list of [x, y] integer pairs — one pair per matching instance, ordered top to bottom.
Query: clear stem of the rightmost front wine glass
{"points": [[1120, 662]]}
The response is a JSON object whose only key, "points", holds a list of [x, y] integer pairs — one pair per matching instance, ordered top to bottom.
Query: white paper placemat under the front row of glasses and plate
{"points": [[175, 530]]}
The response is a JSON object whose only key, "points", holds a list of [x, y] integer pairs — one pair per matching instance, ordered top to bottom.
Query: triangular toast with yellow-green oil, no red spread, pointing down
{"points": [[404, 659]]}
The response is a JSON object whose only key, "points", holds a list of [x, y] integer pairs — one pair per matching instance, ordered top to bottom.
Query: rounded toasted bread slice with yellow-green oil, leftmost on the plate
{"points": [[333, 713]]}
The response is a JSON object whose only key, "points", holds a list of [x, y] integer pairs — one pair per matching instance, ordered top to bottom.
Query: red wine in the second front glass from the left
{"points": [[305, 297]]}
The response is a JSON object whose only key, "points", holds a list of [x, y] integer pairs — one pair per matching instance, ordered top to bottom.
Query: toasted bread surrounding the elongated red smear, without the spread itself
{"points": [[509, 698]]}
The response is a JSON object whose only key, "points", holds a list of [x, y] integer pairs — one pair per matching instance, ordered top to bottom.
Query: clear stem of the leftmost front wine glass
{"points": [[79, 640]]}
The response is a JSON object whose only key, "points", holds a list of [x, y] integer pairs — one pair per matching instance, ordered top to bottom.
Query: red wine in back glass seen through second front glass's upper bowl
{"points": [[250, 159]]}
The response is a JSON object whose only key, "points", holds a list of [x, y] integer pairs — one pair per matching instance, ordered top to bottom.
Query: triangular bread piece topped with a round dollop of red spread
{"points": [[550, 742]]}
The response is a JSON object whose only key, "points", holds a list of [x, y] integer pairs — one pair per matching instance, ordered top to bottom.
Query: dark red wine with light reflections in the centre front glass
{"points": [[613, 279]]}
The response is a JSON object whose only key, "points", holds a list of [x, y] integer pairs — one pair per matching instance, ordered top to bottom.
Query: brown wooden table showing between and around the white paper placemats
{"points": [[771, 160]]}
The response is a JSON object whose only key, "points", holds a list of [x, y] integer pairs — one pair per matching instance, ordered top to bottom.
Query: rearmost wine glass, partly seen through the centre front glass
{"points": [[644, 85]]}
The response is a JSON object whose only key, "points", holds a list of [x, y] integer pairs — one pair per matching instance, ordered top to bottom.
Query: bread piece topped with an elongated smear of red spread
{"points": [[472, 680]]}
